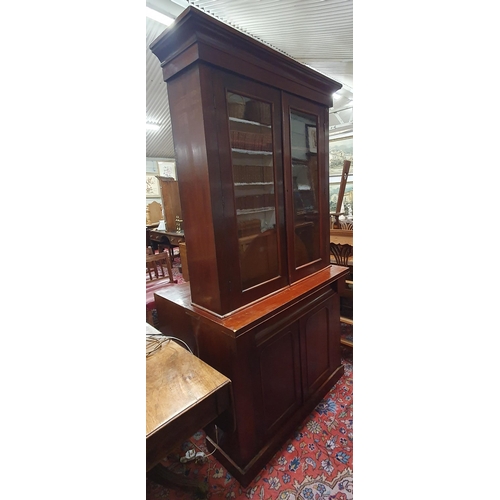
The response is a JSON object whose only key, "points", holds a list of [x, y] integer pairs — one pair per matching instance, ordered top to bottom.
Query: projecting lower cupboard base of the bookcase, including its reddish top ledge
{"points": [[282, 355]]}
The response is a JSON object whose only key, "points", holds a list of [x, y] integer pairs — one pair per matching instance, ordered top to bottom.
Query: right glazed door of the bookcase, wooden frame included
{"points": [[306, 179]]}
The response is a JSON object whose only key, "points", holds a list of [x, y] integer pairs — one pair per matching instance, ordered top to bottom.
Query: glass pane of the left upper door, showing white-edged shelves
{"points": [[253, 176]]}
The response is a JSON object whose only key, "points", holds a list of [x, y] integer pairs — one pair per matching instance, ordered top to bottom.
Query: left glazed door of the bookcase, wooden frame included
{"points": [[255, 203]]}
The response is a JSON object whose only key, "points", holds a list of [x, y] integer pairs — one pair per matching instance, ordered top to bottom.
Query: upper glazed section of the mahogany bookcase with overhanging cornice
{"points": [[250, 130]]}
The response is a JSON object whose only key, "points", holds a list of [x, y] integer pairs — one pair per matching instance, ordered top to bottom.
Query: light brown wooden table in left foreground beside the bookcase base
{"points": [[183, 395]]}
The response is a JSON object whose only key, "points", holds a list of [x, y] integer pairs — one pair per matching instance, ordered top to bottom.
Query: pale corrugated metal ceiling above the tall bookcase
{"points": [[318, 33]]}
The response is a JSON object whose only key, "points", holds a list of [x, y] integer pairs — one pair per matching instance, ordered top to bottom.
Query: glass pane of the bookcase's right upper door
{"points": [[305, 187]]}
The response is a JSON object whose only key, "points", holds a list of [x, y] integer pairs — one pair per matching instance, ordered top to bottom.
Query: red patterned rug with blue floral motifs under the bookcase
{"points": [[315, 463]]}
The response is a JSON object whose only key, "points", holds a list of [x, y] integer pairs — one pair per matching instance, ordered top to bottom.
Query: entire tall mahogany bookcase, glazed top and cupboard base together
{"points": [[250, 128]]}
